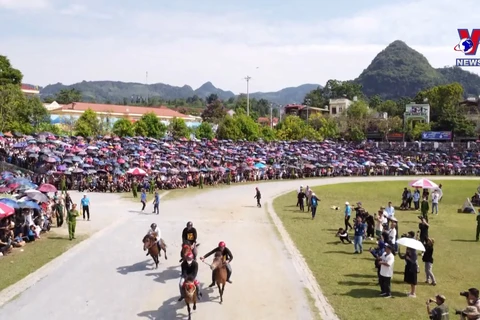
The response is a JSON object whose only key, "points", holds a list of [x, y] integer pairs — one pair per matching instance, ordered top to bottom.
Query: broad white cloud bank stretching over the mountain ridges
{"points": [[190, 48]]}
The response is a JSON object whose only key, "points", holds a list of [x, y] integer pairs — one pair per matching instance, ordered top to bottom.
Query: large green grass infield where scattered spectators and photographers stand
{"points": [[350, 281]]}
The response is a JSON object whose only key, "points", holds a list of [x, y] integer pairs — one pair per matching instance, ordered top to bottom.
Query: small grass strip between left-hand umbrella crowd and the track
{"points": [[19, 264]]}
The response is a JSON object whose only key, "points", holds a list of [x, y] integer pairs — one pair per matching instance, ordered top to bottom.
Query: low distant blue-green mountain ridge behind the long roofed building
{"points": [[115, 91]]}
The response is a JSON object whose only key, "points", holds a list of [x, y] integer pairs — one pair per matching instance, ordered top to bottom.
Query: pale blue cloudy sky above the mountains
{"points": [[189, 42]]}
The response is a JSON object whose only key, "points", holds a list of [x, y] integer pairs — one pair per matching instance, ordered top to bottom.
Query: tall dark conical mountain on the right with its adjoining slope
{"points": [[400, 71]]}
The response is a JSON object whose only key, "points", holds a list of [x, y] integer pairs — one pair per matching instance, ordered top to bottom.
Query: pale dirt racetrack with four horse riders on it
{"points": [[109, 277]]}
